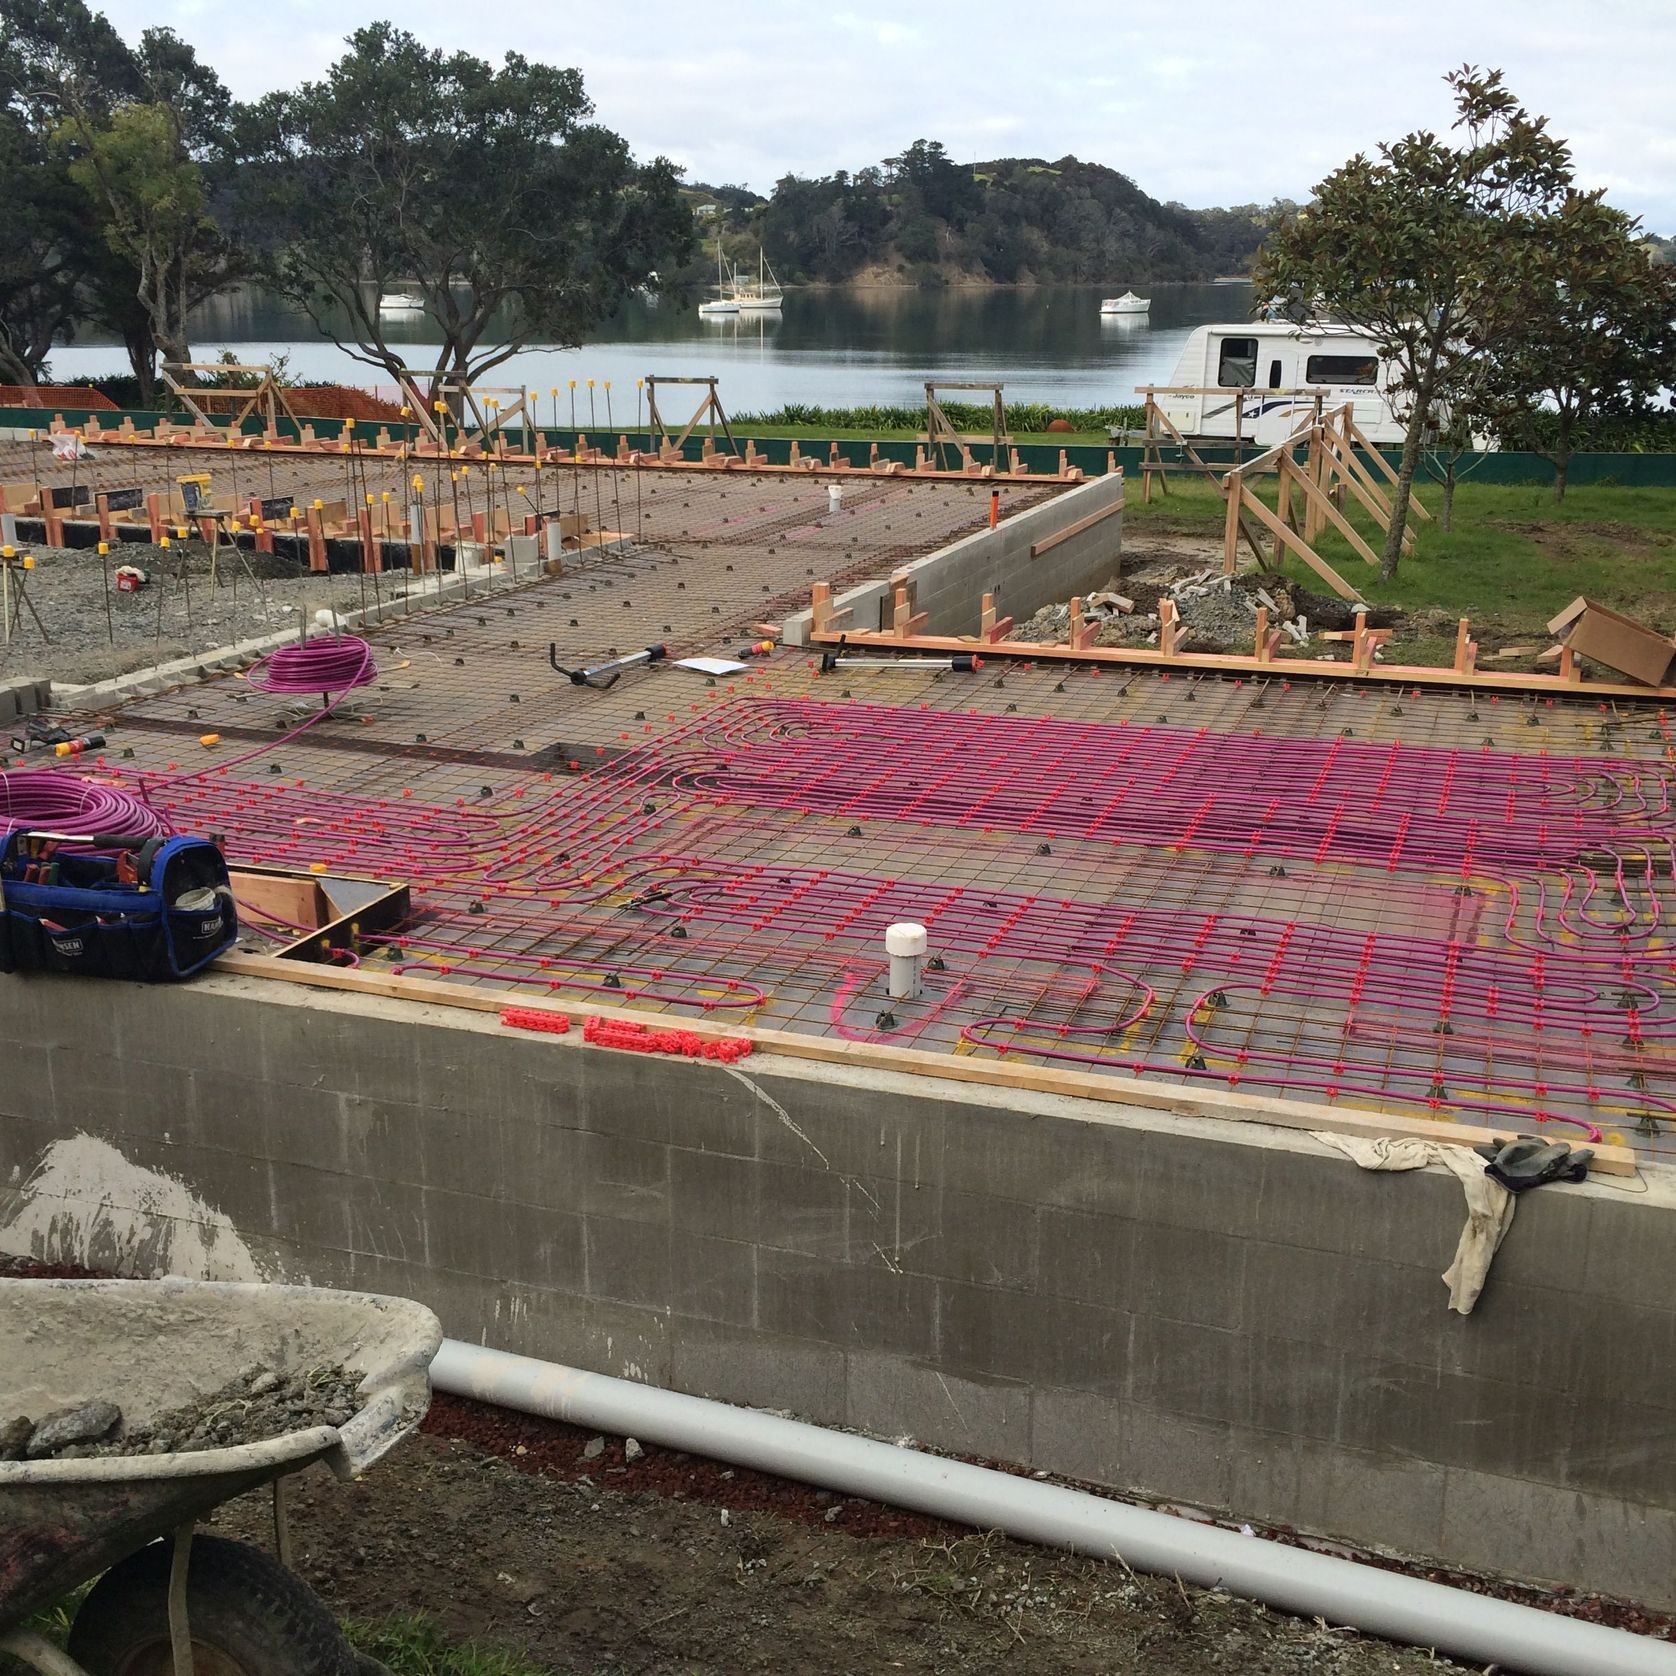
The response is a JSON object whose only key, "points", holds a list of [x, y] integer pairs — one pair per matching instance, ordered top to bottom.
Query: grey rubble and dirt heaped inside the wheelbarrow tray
{"points": [[257, 1405]]}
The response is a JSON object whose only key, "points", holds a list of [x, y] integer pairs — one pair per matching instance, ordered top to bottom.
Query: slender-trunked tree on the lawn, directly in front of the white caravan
{"points": [[1414, 244]]}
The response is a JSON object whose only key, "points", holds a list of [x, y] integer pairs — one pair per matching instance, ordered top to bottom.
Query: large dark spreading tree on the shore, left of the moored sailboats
{"points": [[484, 189]]}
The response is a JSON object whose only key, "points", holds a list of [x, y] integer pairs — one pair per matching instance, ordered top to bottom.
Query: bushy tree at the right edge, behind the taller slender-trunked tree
{"points": [[1586, 333]]}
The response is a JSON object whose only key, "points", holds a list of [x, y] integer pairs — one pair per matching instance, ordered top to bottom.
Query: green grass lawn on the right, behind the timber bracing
{"points": [[1511, 562]]}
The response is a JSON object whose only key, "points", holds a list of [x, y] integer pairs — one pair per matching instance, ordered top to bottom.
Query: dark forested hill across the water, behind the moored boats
{"points": [[924, 219]]}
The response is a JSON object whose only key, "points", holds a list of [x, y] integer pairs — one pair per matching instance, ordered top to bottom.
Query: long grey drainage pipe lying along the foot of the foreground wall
{"points": [[1380, 1603]]}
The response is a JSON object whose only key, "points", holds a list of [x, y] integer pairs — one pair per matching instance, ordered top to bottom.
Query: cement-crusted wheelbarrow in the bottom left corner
{"points": [[165, 1603]]}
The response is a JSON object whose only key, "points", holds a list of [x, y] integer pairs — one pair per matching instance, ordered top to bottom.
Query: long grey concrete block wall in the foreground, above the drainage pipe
{"points": [[1231, 1318]]}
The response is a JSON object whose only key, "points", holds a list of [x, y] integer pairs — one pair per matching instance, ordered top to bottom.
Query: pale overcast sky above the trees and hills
{"points": [[1209, 103]]}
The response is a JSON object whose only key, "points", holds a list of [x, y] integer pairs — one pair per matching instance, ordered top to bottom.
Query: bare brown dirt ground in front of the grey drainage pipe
{"points": [[586, 1575]]}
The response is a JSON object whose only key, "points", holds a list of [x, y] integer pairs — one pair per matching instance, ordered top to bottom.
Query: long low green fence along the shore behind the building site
{"points": [[1637, 472]]}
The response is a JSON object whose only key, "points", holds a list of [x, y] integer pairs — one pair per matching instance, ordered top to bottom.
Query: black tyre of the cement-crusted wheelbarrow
{"points": [[241, 1603]]}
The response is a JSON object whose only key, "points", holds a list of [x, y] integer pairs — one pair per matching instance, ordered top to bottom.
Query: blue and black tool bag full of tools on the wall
{"points": [[148, 909]]}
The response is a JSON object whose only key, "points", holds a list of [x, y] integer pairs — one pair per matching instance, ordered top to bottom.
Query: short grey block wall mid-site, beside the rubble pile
{"points": [[949, 586]]}
